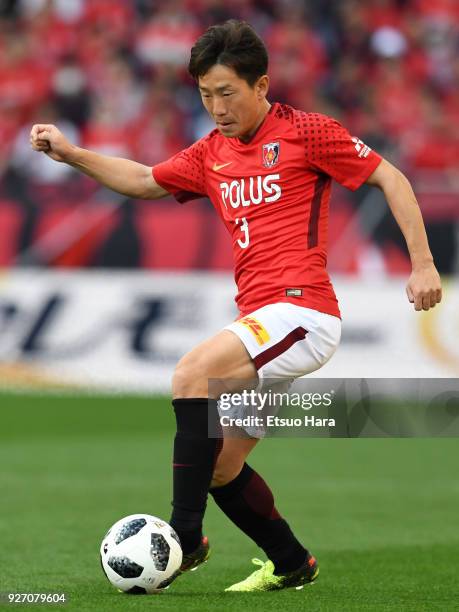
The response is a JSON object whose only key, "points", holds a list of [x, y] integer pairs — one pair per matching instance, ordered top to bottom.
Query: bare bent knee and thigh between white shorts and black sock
{"points": [[223, 356]]}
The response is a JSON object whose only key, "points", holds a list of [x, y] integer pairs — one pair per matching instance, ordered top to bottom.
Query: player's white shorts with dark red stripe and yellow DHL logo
{"points": [[287, 341]]}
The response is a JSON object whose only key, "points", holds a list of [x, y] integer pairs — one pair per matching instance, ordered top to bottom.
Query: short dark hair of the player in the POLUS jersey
{"points": [[234, 44]]}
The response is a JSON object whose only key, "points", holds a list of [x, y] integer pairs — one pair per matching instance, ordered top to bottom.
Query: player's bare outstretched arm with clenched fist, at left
{"points": [[122, 175]]}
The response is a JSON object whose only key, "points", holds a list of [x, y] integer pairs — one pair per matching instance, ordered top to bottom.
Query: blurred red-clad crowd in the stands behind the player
{"points": [[112, 75]]}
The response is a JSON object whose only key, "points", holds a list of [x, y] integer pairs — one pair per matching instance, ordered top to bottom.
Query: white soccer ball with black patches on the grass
{"points": [[140, 554]]}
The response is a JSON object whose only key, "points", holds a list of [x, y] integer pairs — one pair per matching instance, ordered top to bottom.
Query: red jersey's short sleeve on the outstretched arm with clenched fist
{"points": [[183, 174]]}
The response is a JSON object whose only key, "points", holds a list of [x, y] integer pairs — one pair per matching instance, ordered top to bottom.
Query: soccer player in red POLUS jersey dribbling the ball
{"points": [[267, 169]]}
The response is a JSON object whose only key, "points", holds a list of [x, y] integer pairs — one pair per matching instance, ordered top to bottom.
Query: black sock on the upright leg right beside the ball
{"points": [[193, 464]]}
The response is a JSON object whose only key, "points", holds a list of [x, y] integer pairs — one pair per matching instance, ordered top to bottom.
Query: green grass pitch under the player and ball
{"points": [[381, 515]]}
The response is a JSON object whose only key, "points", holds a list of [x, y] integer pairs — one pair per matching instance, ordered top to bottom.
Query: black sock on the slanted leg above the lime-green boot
{"points": [[248, 502]]}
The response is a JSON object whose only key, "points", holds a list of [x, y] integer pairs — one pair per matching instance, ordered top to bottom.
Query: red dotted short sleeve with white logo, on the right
{"points": [[332, 150]]}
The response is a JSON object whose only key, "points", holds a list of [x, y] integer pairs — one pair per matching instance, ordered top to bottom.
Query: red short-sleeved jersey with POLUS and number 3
{"points": [[273, 195]]}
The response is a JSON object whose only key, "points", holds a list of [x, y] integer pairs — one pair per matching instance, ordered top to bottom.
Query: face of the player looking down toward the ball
{"points": [[236, 107]]}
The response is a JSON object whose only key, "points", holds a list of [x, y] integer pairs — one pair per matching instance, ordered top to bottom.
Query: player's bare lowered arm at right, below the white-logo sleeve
{"points": [[424, 285]]}
